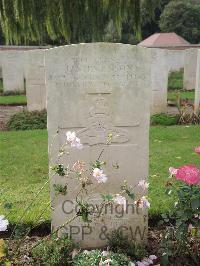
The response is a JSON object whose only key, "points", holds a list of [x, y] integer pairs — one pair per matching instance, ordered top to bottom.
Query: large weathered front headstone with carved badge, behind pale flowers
{"points": [[97, 89]]}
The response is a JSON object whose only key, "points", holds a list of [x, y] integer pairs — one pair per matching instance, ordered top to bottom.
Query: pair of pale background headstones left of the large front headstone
{"points": [[24, 71]]}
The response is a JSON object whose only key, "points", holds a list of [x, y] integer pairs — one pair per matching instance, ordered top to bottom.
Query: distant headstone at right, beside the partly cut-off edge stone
{"points": [[190, 69]]}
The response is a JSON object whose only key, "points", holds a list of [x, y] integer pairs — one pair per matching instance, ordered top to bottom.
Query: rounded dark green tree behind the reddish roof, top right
{"points": [[182, 17]]}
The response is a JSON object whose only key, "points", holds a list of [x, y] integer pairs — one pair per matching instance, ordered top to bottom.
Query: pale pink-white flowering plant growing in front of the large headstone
{"points": [[89, 179]]}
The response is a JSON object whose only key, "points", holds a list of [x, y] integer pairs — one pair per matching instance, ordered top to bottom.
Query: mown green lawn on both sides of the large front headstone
{"points": [[24, 168]]}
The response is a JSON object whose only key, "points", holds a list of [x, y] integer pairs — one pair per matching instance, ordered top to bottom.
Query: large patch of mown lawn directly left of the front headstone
{"points": [[23, 170]]}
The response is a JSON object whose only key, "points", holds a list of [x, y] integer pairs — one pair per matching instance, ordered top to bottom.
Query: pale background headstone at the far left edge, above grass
{"points": [[13, 70]]}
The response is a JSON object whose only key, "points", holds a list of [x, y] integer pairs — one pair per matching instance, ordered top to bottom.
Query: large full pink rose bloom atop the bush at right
{"points": [[190, 174]]}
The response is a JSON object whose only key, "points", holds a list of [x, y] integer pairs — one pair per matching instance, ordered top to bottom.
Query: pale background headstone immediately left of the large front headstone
{"points": [[35, 80]]}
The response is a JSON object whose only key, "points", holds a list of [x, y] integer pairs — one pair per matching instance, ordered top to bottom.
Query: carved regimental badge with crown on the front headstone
{"points": [[100, 123]]}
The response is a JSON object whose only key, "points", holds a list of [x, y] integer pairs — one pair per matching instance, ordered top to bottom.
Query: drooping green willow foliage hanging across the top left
{"points": [[68, 21]]}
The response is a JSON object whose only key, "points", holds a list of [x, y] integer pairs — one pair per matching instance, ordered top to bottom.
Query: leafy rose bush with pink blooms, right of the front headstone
{"points": [[184, 183]]}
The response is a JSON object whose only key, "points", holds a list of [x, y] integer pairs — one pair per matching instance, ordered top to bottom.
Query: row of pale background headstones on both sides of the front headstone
{"points": [[22, 70]]}
